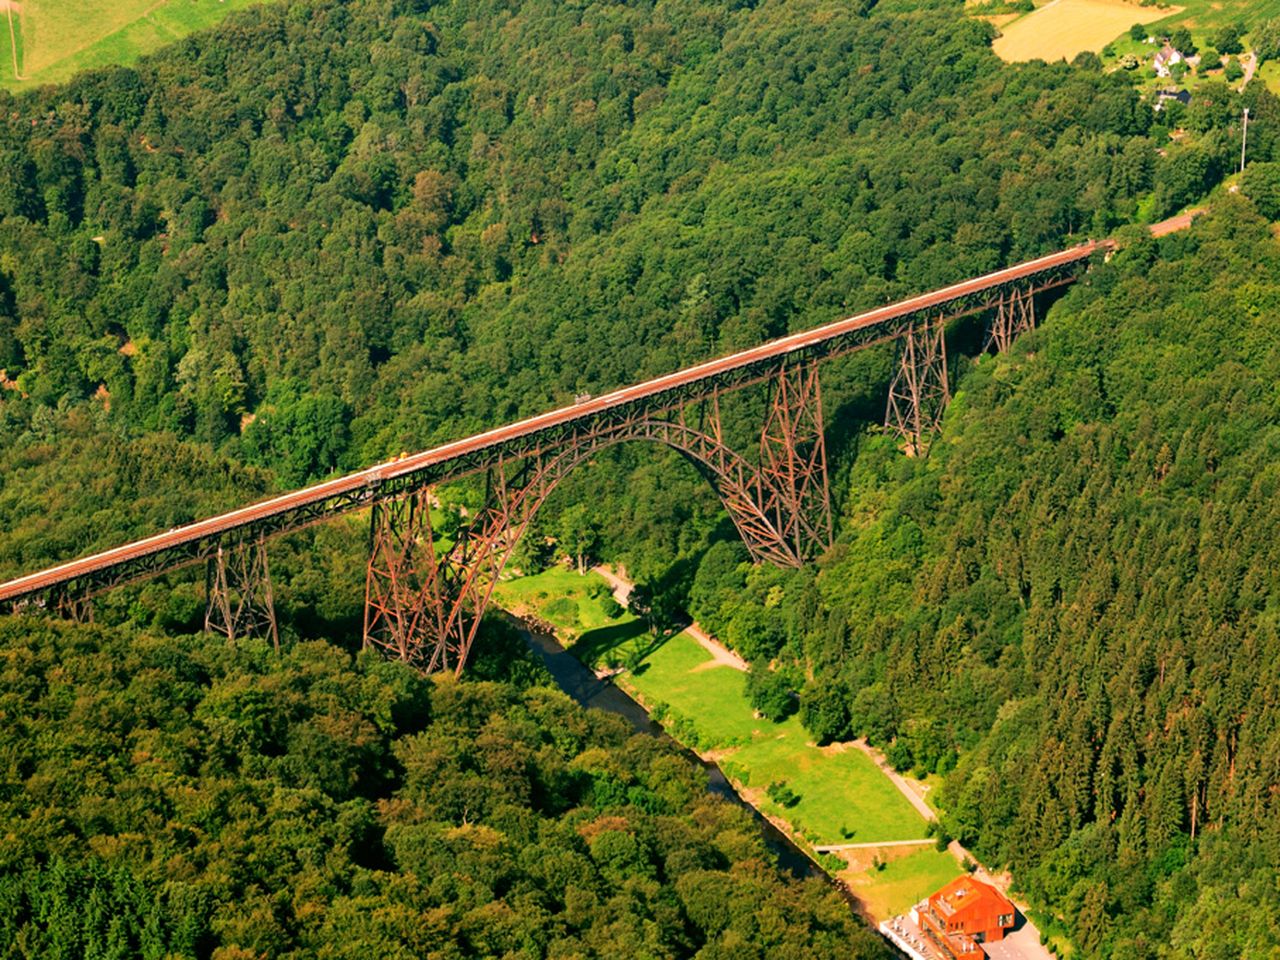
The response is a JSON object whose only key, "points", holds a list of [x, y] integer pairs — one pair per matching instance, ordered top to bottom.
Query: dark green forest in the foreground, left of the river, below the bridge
{"points": [[164, 797]]}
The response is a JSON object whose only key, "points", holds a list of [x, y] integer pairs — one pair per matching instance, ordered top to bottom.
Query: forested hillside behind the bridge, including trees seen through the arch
{"points": [[331, 232]]}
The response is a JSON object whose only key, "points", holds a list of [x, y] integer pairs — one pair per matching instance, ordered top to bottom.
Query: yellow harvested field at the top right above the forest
{"points": [[1064, 29]]}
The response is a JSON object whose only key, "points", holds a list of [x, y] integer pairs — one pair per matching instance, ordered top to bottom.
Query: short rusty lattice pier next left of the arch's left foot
{"points": [[239, 589]]}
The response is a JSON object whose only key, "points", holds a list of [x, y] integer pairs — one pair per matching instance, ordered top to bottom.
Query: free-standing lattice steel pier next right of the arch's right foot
{"points": [[921, 391]]}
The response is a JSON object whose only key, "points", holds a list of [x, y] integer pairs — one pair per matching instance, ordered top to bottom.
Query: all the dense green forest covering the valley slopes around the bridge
{"points": [[330, 232]]}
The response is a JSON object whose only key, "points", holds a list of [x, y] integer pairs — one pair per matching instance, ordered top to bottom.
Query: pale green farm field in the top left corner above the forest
{"points": [[56, 39]]}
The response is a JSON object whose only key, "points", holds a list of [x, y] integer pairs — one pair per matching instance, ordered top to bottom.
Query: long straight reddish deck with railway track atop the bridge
{"points": [[372, 479]]}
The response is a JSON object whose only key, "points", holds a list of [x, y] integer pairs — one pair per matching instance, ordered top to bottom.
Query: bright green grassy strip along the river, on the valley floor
{"points": [[840, 798]]}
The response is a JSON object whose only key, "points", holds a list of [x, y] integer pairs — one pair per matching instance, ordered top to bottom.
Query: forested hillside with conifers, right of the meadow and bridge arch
{"points": [[1076, 596]]}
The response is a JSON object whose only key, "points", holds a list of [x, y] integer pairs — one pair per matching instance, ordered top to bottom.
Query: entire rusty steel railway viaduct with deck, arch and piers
{"points": [[424, 598]]}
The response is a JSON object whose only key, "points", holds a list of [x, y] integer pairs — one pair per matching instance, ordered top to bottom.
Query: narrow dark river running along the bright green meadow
{"points": [[589, 691]]}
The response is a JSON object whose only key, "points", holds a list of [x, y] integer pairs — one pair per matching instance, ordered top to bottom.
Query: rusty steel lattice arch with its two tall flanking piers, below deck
{"points": [[424, 601]]}
